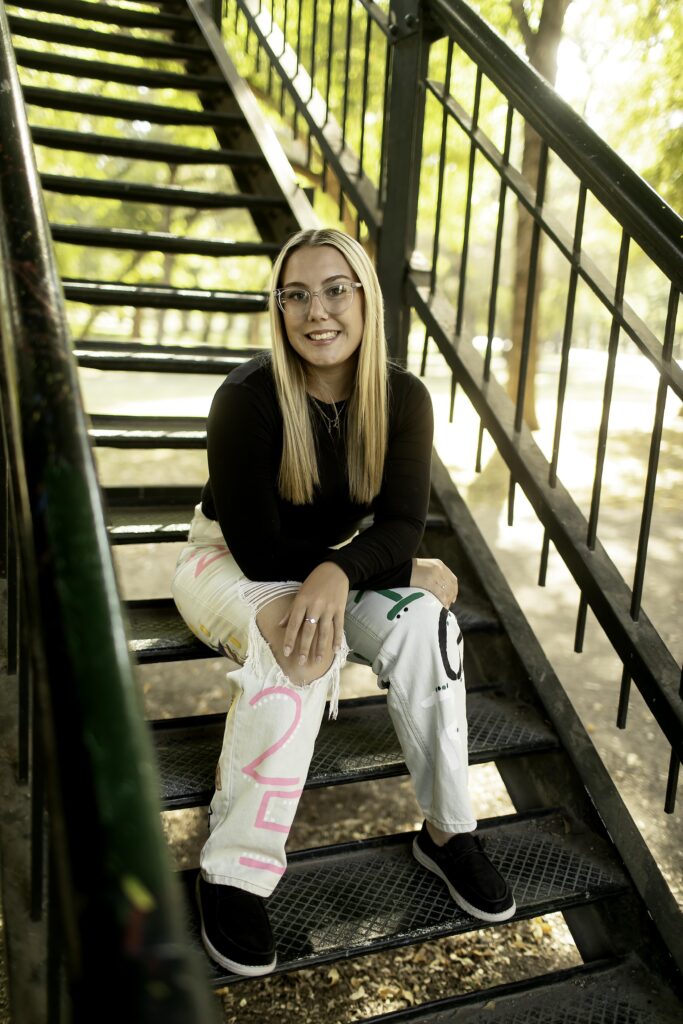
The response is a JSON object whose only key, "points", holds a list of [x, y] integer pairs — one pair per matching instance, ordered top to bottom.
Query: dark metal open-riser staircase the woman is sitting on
{"points": [[350, 900]]}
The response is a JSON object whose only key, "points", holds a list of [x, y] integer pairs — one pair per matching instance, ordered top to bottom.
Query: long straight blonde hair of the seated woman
{"points": [[367, 417]]}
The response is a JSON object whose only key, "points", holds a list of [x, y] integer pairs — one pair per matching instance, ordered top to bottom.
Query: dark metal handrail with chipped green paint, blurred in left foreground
{"points": [[116, 921]]}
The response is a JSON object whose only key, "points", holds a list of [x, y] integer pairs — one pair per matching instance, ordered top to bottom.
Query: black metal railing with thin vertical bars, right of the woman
{"points": [[403, 130]]}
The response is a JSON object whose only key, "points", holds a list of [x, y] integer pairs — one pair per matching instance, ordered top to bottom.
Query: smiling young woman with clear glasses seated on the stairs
{"points": [[279, 575]]}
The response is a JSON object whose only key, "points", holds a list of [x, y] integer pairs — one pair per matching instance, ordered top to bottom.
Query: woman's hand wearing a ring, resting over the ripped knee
{"points": [[316, 621]]}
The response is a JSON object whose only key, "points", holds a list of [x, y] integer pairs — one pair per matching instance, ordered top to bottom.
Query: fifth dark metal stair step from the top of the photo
{"points": [[140, 149]]}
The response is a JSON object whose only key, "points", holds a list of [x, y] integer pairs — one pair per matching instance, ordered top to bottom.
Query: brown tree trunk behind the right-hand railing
{"points": [[542, 48]]}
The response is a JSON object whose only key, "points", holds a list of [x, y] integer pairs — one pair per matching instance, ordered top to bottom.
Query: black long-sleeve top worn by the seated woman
{"points": [[273, 539]]}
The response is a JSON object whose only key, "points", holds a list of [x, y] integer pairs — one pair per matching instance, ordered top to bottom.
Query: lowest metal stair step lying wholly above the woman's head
{"points": [[134, 192]]}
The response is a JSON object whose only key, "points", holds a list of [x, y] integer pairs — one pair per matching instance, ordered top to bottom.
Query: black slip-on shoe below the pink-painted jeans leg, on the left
{"points": [[236, 930]]}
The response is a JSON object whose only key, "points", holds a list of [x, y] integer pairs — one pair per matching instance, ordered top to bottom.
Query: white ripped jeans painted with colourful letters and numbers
{"points": [[414, 646]]}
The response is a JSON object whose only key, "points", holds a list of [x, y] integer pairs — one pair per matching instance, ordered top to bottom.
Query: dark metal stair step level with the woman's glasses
{"points": [[109, 293]]}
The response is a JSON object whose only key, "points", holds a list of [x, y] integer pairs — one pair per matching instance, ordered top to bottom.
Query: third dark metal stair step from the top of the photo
{"points": [[127, 74]]}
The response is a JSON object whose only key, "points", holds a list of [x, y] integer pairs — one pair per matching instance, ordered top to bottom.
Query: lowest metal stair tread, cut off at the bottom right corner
{"points": [[614, 994]]}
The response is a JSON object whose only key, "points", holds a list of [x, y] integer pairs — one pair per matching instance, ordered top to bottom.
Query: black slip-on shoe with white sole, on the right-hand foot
{"points": [[475, 883]]}
